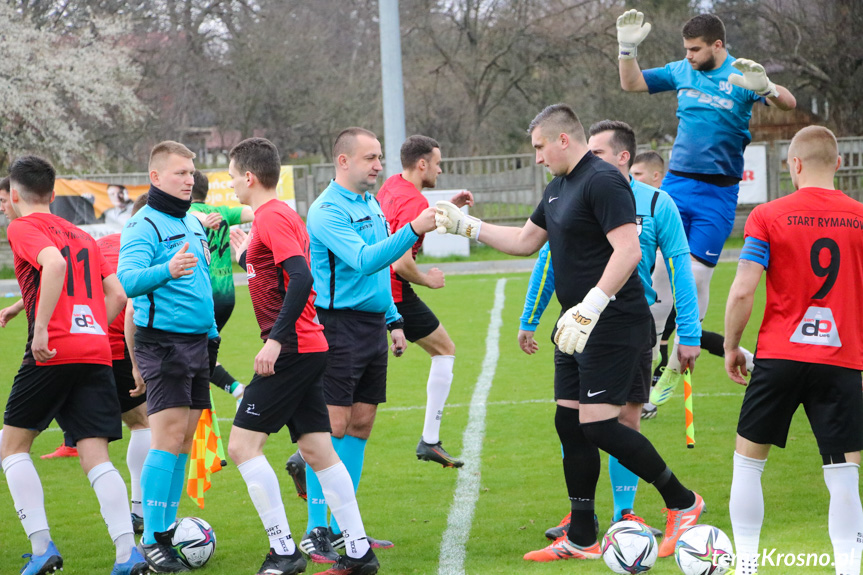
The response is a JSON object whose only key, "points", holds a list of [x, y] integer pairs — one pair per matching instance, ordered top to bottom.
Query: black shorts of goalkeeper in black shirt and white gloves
{"points": [[605, 371]]}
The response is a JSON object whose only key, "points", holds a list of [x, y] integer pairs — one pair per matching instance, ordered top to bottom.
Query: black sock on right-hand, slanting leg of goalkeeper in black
{"points": [[636, 453]]}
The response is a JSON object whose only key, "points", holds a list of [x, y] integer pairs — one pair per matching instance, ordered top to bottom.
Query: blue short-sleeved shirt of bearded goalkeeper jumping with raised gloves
{"points": [[714, 117]]}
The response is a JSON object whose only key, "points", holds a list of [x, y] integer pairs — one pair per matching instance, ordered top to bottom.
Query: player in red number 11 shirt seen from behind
{"points": [[69, 292]]}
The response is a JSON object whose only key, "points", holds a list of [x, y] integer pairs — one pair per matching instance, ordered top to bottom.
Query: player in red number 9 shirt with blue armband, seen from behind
{"points": [[810, 345]]}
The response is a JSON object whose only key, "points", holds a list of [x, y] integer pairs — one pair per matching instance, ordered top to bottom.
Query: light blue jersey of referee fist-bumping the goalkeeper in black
{"points": [[351, 250]]}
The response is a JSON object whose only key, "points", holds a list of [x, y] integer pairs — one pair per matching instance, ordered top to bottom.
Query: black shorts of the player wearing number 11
{"points": [[82, 398]]}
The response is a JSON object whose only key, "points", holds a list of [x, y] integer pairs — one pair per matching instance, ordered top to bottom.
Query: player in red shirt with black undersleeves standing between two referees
{"points": [[286, 389]]}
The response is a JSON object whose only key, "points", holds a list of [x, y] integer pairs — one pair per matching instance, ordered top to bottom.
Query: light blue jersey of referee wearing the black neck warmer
{"points": [[148, 242]]}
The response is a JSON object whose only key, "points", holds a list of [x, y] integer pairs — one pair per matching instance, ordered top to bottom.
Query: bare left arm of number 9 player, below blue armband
{"points": [[737, 312]]}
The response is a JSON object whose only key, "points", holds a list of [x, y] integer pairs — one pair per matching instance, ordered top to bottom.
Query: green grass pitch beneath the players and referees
{"points": [[522, 490]]}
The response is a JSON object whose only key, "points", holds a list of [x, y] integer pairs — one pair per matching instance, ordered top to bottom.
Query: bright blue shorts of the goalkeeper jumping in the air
{"points": [[707, 212]]}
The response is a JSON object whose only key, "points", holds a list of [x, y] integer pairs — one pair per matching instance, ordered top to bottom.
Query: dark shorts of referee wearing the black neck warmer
{"points": [[176, 367]]}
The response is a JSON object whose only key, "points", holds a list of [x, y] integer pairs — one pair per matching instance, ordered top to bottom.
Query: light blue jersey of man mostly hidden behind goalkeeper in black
{"points": [[659, 226]]}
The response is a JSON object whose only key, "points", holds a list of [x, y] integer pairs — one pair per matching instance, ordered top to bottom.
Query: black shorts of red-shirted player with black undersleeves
{"points": [[294, 396]]}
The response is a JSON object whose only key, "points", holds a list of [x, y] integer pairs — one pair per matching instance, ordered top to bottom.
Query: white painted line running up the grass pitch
{"points": [[452, 548]]}
